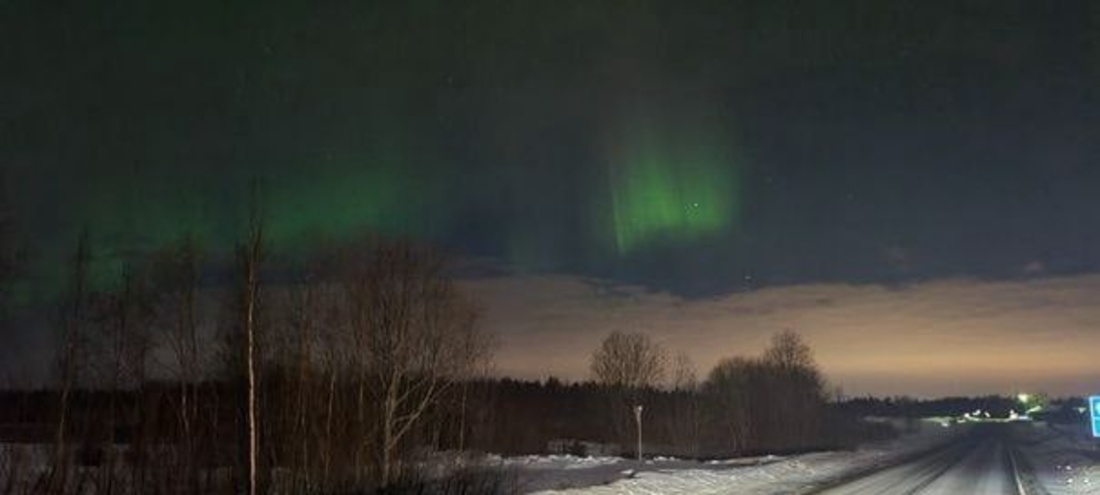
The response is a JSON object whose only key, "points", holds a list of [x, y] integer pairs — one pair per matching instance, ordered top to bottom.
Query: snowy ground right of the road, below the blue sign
{"points": [[1065, 459]]}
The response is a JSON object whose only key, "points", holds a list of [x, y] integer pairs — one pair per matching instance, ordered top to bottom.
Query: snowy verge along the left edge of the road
{"points": [[564, 475]]}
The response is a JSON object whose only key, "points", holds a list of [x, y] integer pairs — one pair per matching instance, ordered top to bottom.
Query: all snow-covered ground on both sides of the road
{"points": [[1064, 461]]}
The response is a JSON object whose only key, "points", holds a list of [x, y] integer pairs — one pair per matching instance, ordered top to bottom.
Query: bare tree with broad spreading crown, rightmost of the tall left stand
{"points": [[416, 332]]}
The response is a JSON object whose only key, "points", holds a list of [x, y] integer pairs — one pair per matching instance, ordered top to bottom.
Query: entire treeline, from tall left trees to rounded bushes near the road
{"points": [[339, 373]]}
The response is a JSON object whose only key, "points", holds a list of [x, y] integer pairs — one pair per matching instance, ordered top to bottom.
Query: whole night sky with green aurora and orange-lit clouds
{"points": [[898, 181]]}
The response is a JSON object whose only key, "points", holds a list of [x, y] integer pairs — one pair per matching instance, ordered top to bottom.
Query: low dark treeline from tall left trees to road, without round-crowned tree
{"points": [[745, 406]]}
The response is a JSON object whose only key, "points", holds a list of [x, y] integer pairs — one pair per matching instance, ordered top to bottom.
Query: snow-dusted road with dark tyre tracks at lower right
{"points": [[980, 463]]}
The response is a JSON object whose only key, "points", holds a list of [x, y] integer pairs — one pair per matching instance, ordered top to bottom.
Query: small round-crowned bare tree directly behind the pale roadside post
{"points": [[630, 364]]}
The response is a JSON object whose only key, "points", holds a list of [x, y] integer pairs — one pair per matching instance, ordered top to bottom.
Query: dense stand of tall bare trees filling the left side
{"points": [[166, 382]]}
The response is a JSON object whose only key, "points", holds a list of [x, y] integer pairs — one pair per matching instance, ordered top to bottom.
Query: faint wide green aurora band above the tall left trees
{"points": [[346, 197]]}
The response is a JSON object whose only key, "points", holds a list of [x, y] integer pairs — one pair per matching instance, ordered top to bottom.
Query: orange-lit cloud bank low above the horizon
{"points": [[936, 338]]}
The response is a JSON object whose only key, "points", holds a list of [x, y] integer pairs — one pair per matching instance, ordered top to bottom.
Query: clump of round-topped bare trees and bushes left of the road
{"points": [[773, 403]]}
